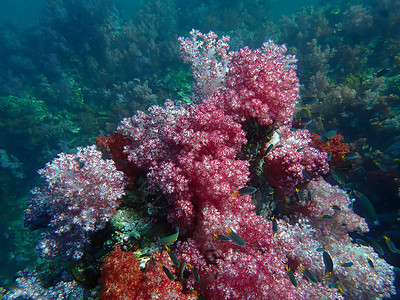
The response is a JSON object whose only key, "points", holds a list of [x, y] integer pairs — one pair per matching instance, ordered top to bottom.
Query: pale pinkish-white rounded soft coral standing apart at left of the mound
{"points": [[81, 196]]}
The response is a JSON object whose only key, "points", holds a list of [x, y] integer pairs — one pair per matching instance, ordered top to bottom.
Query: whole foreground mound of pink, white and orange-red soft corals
{"points": [[213, 160]]}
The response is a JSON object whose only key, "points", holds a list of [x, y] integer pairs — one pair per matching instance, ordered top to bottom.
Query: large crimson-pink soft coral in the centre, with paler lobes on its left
{"points": [[194, 161]]}
